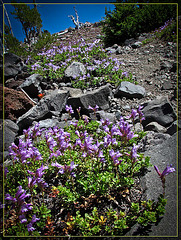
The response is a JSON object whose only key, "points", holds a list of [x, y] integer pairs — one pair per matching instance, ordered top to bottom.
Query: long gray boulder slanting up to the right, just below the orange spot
{"points": [[53, 102]]}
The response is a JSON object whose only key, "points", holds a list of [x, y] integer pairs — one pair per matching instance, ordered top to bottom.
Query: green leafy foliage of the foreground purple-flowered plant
{"points": [[84, 195]]}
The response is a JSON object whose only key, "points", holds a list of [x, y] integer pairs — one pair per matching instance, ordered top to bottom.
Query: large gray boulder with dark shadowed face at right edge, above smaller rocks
{"points": [[159, 110]]}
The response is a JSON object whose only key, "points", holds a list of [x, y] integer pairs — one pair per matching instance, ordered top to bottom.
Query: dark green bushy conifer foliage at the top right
{"points": [[128, 20]]}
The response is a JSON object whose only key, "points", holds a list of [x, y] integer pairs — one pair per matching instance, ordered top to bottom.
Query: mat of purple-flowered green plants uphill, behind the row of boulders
{"points": [[53, 60]]}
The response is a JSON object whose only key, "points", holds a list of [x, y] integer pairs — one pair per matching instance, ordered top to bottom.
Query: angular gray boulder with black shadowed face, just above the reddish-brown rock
{"points": [[32, 85]]}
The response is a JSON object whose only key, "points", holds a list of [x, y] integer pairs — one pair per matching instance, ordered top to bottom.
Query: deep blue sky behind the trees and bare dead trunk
{"points": [[55, 16]]}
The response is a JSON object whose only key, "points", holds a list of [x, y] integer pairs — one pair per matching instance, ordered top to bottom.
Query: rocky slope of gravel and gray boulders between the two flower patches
{"points": [[153, 66]]}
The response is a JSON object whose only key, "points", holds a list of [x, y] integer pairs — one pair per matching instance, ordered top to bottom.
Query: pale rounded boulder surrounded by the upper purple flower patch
{"points": [[75, 69]]}
